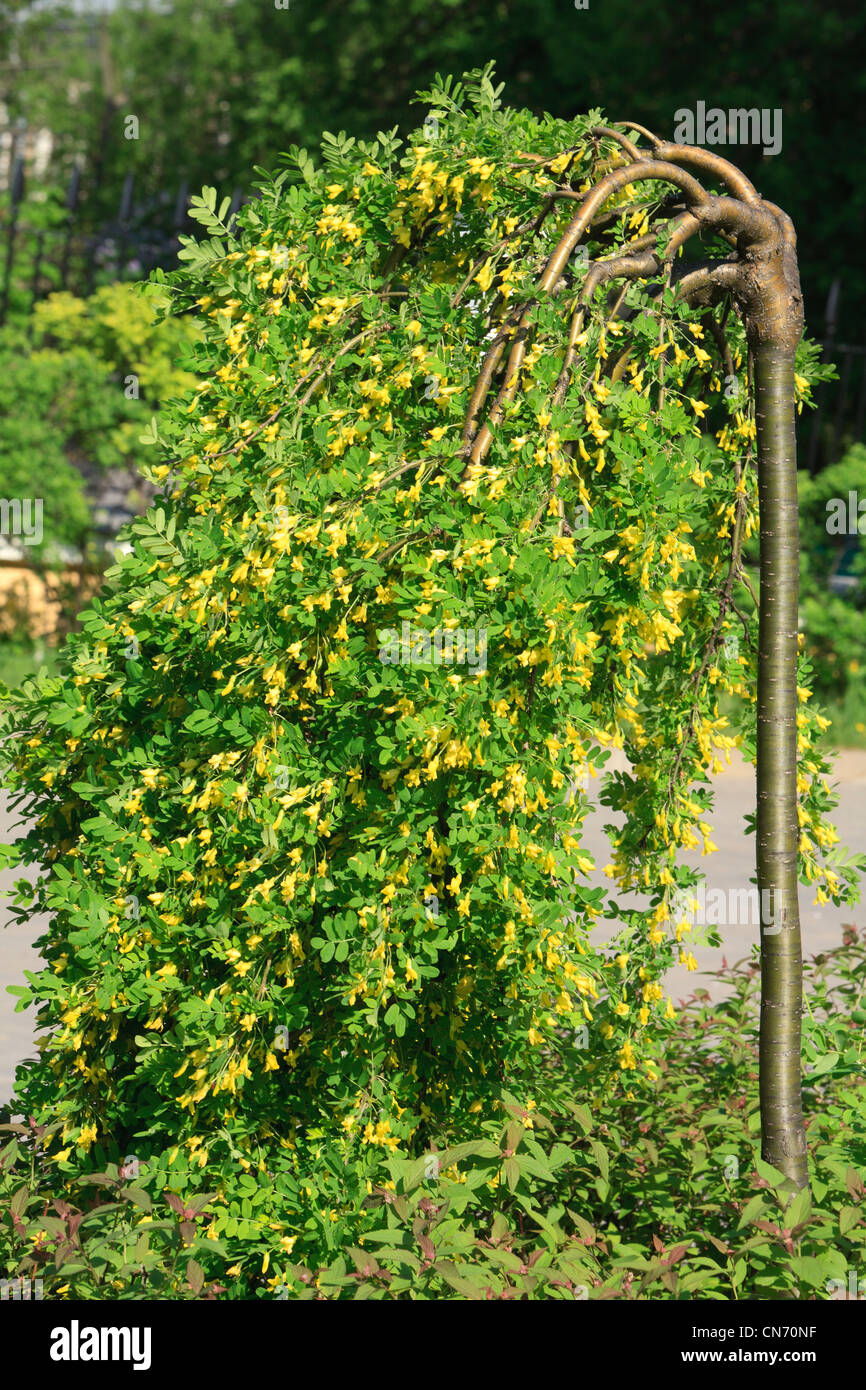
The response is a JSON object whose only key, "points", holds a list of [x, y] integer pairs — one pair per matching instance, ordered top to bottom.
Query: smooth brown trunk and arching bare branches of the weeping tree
{"points": [[760, 281]]}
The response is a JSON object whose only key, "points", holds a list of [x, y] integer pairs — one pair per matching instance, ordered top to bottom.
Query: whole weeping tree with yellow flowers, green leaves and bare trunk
{"points": [[458, 507]]}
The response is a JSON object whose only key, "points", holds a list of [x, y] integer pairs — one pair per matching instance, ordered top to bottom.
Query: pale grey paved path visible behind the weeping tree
{"points": [[728, 871]]}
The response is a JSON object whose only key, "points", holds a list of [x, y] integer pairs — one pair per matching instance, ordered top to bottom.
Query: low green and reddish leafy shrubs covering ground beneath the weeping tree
{"points": [[660, 1197]]}
